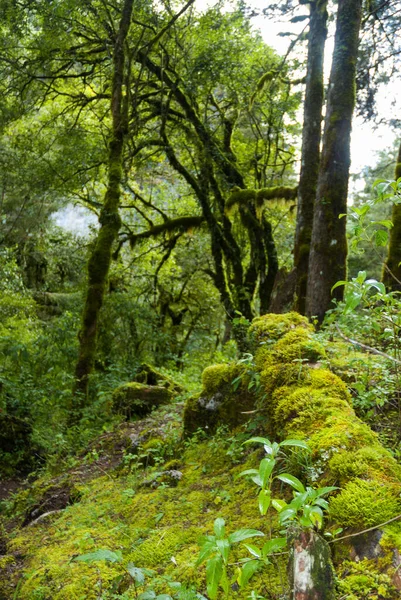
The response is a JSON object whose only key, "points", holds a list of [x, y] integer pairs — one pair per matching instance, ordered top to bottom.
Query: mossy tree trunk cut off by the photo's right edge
{"points": [[392, 266]]}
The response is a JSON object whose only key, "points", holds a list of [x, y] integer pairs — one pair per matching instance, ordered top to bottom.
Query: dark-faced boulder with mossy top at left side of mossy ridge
{"points": [[224, 400]]}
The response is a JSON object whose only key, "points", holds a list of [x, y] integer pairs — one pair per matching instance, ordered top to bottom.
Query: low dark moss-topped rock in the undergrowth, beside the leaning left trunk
{"points": [[137, 399]]}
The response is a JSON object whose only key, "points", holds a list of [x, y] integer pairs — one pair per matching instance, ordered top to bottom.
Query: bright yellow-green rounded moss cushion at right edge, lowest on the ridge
{"points": [[363, 503]]}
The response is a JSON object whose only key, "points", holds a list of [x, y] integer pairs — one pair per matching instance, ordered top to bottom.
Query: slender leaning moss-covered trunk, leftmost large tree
{"points": [[99, 261]]}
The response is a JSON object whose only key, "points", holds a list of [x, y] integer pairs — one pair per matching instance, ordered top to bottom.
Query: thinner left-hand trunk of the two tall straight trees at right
{"points": [[310, 158]]}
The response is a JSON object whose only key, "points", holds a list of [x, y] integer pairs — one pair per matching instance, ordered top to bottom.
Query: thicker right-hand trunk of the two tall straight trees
{"points": [[327, 261]]}
